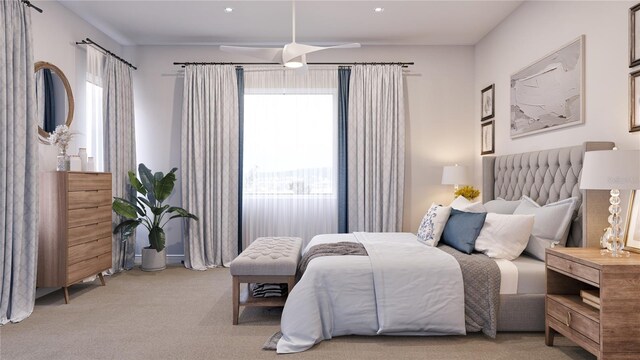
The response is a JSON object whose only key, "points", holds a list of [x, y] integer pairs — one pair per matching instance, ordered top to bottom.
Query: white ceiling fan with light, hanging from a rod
{"points": [[292, 55]]}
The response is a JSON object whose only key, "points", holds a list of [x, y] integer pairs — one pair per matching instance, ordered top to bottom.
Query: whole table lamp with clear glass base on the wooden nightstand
{"points": [[613, 170]]}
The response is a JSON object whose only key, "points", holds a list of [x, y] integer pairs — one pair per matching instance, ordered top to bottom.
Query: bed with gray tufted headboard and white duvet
{"points": [[393, 291]]}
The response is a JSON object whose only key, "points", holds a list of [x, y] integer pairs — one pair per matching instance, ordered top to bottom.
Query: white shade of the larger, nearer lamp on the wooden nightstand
{"points": [[611, 169]]}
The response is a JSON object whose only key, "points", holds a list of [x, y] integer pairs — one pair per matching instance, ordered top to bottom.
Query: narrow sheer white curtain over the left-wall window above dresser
{"points": [[94, 110]]}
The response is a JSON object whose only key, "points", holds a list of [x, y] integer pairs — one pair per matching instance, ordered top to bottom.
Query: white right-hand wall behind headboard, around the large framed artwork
{"points": [[534, 30]]}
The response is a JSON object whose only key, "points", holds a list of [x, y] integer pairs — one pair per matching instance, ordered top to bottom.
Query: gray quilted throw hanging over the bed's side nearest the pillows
{"points": [[481, 277]]}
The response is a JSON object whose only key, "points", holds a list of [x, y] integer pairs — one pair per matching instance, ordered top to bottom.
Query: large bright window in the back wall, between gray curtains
{"points": [[289, 144]]}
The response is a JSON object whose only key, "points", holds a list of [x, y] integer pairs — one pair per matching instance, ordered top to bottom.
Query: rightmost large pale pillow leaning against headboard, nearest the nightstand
{"points": [[551, 224]]}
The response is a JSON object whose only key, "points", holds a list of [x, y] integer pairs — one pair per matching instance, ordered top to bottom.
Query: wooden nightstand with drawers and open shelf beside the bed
{"points": [[611, 332]]}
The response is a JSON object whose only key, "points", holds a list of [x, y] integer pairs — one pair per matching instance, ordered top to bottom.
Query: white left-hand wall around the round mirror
{"points": [[55, 32]]}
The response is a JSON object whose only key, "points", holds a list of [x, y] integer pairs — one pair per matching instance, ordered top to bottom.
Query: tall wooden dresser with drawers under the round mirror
{"points": [[74, 230]]}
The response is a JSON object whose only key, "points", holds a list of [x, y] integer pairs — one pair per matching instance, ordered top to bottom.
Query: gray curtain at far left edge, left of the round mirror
{"points": [[18, 165]]}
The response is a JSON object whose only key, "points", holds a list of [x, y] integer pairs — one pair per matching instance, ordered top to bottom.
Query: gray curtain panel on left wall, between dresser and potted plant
{"points": [[120, 149]]}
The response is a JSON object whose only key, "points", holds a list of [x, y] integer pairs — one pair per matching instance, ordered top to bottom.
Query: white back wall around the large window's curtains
{"points": [[439, 94]]}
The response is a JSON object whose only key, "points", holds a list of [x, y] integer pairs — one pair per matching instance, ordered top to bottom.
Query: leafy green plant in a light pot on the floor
{"points": [[149, 210]]}
